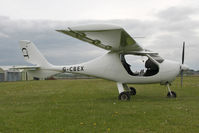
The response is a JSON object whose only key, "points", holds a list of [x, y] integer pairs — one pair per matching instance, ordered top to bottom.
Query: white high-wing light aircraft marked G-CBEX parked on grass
{"points": [[113, 65]]}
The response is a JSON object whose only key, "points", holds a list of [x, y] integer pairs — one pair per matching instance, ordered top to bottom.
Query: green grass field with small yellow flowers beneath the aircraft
{"points": [[91, 106]]}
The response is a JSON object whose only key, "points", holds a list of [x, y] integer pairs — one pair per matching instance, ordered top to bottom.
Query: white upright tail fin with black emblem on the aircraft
{"points": [[32, 55]]}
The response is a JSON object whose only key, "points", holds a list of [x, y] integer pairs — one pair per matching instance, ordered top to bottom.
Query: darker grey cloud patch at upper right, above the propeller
{"points": [[178, 19]]}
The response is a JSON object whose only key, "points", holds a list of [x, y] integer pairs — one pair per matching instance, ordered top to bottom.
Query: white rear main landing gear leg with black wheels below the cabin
{"points": [[125, 92]]}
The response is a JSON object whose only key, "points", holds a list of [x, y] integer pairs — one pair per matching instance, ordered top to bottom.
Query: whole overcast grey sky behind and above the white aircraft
{"points": [[164, 24]]}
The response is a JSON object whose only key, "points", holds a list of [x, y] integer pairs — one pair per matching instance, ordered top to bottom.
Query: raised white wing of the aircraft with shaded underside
{"points": [[109, 37]]}
